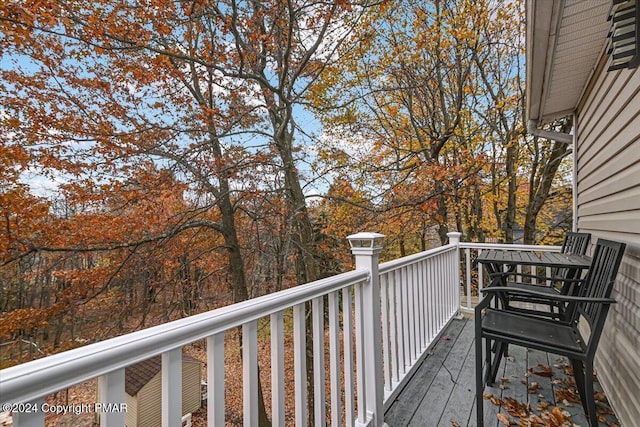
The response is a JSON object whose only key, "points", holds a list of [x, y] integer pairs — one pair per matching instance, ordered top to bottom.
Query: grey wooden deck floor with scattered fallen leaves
{"points": [[441, 392]]}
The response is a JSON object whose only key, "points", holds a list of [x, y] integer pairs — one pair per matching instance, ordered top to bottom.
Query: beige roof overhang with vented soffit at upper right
{"points": [[565, 39]]}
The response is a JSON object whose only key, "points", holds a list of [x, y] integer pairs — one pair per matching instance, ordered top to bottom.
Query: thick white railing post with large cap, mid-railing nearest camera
{"points": [[366, 248]]}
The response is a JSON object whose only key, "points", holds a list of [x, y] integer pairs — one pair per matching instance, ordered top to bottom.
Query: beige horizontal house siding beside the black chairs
{"points": [[608, 206]]}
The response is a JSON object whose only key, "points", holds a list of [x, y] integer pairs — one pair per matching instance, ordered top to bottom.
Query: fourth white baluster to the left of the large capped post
{"points": [[319, 400]]}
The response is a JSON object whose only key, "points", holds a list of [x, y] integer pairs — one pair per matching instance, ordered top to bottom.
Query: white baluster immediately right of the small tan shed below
{"points": [[215, 380]]}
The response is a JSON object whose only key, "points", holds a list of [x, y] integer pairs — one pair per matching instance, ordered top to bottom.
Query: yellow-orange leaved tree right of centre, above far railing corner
{"points": [[406, 92]]}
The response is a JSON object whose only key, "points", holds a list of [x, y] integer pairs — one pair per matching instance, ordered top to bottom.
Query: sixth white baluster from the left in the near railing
{"points": [[277, 369]]}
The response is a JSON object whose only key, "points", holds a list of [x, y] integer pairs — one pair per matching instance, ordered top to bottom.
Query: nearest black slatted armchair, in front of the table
{"points": [[563, 337]]}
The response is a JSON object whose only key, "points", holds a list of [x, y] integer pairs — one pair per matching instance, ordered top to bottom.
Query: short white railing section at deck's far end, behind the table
{"points": [[472, 275]]}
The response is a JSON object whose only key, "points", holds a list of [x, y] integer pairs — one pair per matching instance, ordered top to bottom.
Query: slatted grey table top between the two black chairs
{"points": [[544, 259]]}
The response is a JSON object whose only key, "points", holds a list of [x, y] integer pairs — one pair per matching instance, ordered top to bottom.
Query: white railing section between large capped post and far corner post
{"points": [[420, 294]]}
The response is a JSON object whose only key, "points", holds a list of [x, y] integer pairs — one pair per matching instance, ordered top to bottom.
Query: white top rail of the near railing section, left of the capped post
{"points": [[38, 378]]}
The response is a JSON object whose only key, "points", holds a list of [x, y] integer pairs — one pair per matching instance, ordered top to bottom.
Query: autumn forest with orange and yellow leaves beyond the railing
{"points": [[205, 152]]}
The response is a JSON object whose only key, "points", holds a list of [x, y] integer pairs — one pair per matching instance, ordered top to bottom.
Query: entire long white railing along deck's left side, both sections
{"points": [[381, 319]]}
